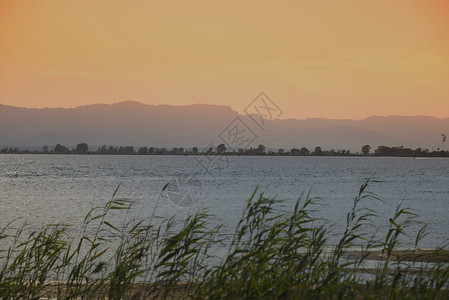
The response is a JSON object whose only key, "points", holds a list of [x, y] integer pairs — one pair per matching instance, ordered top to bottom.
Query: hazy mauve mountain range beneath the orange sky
{"points": [[137, 124]]}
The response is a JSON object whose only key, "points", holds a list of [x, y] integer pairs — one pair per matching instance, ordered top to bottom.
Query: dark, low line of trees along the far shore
{"points": [[83, 148]]}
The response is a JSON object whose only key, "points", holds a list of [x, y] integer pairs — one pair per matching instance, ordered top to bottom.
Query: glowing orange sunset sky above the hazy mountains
{"points": [[335, 59]]}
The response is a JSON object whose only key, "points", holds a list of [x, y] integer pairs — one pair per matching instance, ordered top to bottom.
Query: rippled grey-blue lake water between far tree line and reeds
{"points": [[55, 188]]}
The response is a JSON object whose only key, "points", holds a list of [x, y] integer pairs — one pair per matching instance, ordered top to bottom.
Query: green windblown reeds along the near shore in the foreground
{"points": [[272, 255]]}
